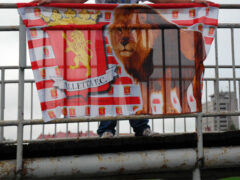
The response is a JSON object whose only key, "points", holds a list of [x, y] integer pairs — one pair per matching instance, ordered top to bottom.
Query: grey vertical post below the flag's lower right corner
{"points": [[200, 155]]}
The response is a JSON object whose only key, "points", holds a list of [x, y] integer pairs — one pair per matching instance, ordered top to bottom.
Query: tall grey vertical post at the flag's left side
{"points": [[22, 65]]}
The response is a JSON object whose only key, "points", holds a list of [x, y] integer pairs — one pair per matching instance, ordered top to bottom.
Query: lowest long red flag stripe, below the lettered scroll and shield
{"points": [[91, 101]]}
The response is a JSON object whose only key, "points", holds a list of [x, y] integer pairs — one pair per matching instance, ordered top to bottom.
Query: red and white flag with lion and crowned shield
{"points": [[110, 60]]}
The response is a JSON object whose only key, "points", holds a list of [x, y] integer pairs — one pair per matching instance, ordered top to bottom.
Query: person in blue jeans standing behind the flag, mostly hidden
{"points": [[106, 129]]}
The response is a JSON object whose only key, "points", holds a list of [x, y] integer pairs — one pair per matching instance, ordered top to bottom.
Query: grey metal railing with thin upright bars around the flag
{"points": [[233, 84]]}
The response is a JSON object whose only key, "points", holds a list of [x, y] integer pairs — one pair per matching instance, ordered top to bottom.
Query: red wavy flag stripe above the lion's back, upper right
{"points": [[204, 20]]}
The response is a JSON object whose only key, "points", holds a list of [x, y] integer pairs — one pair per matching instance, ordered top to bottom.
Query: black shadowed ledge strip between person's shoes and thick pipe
{"points": [[68, 147]]}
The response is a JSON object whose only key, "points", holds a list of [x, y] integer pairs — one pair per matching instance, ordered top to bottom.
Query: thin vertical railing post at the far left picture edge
{"points": [[2, 103]]}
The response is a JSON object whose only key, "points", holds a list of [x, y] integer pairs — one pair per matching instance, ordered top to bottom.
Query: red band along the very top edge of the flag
{"points": [[112, 6]]}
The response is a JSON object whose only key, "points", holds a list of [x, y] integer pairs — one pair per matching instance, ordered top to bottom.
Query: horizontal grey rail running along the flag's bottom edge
{"points": [[91, 119]]}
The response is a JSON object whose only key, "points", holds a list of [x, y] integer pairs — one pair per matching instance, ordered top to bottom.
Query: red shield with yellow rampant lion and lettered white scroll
{"points": [[81, 60]]}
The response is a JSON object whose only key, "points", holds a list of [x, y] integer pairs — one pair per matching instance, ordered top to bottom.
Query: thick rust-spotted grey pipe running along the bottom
{"points": [[96, 165]]}
